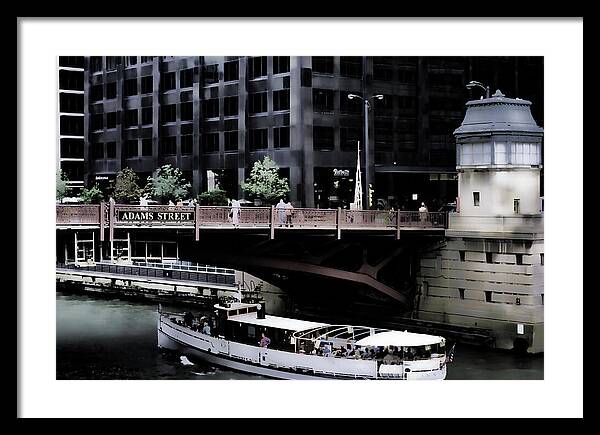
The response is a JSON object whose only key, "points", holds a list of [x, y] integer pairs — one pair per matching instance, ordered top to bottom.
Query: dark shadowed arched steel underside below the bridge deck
{"points": [[318, 269]]}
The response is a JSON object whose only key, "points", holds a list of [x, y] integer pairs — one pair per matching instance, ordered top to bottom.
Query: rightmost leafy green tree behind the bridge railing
{"points": [[265, 183]]}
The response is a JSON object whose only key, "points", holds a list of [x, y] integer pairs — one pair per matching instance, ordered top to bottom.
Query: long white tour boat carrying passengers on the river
{"points": [[301, 349]]}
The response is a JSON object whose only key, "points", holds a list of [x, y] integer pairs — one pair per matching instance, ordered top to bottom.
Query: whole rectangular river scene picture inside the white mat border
{"points": [[300, 217]]}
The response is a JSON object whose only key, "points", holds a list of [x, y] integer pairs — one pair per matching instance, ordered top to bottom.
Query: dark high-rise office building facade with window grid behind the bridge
{"points": [[213, 117]]}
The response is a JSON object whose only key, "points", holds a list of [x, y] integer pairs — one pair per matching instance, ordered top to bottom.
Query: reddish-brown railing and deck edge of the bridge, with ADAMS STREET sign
{"points": [[117, 216]]}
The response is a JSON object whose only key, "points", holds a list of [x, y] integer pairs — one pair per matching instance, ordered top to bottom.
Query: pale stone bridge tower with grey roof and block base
{"points": [[490, 273]]}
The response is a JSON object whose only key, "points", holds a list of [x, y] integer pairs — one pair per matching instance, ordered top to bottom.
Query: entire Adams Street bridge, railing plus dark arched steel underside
{"points": [[335, 252]]}
